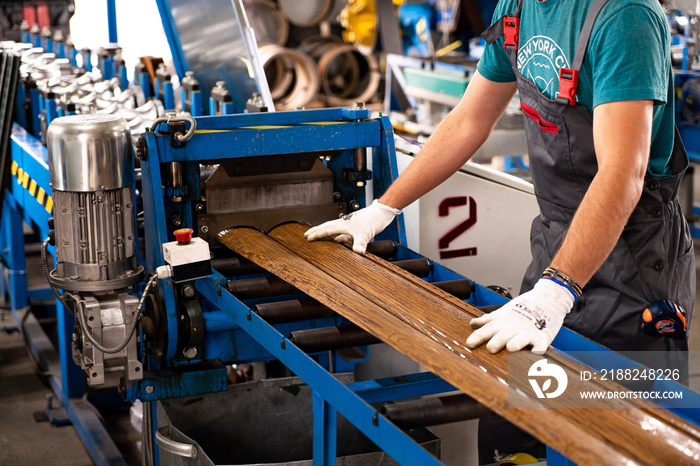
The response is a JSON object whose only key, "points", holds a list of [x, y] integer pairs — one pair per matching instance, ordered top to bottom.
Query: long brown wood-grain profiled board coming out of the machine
{"points": [[431, 326]]}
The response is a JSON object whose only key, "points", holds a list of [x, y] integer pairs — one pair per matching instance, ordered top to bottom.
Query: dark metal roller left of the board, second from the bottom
{"points": [[332, 338]]}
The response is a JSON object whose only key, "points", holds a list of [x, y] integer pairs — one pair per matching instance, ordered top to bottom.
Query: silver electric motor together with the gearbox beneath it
{"points": [[92, 175]]}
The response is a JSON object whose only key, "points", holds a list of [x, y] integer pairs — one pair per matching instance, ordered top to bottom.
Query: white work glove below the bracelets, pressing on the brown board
{"points": [[533, 318]]}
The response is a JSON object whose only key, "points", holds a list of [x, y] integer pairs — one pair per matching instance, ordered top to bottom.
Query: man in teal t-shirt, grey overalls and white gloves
{"points": [[595, 84]]}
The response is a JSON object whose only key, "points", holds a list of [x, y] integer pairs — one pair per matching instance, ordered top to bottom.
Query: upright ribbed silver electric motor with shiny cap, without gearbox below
{"points": [[91, 174]]}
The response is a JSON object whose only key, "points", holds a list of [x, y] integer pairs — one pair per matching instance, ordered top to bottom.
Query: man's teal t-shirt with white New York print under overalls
{"points": [[628, 58]]}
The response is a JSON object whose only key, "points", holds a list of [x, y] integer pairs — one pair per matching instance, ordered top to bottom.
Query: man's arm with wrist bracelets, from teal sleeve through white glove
{"points": [[622, 138]]}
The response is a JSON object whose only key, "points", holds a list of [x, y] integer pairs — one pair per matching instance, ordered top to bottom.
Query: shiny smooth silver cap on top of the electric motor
{"points": [[89, 152]]}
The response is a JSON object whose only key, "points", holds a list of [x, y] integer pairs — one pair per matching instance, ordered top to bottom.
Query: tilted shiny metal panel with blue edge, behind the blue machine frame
{"points": [[213, 39]]}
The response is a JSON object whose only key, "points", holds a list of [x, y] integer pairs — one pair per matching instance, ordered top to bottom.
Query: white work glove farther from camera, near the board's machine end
{"points": [[360, 226]]}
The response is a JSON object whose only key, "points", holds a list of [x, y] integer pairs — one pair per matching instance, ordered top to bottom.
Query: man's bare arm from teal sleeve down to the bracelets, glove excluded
{"points": [[622, 137]]}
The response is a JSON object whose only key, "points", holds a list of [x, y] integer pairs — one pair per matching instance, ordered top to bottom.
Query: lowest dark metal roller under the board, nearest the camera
{"points": [[434, 411]]}
